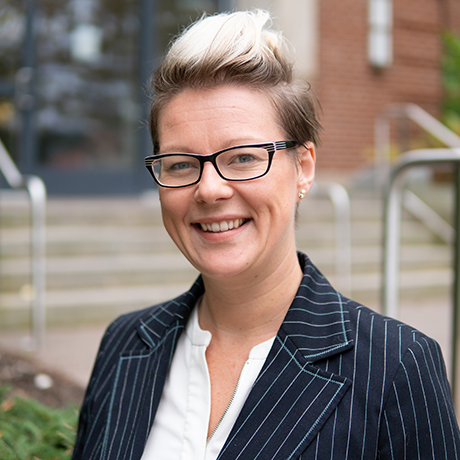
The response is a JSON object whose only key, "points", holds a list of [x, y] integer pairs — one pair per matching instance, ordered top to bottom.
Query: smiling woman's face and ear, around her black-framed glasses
{"points": [[262, 210]]}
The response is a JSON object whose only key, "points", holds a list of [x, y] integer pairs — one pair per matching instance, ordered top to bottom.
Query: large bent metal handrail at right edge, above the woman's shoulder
{"points": [[392, 233]]}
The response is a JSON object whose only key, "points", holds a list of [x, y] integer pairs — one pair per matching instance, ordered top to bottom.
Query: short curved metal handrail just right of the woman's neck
{"points": [[340, 199]]}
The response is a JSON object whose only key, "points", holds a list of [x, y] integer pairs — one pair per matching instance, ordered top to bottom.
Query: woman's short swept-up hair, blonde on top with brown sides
{"points": [[236, 48]]}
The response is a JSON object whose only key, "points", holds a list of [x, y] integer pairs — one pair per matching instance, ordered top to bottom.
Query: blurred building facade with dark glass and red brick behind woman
{"points": [[74, 77]]}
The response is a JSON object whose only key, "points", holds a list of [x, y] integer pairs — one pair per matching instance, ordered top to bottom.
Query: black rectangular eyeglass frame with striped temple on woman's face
{"points": [[270, 147]]}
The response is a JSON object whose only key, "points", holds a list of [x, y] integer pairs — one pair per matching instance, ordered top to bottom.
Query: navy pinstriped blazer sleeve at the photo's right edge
{"points": [[419, 420]]}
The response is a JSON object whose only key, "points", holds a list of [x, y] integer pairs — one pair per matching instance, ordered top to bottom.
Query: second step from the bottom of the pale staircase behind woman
{"points": [[166, 267]]}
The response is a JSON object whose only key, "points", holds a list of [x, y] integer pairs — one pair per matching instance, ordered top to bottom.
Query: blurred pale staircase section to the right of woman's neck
{"points": [[425, 260]]}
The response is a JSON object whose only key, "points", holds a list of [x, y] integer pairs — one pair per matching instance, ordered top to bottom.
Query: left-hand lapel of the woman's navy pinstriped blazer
{"points": [[140, 378]]}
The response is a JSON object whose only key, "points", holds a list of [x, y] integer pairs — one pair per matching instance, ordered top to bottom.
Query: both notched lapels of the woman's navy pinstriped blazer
{"points": [[290, 401]]}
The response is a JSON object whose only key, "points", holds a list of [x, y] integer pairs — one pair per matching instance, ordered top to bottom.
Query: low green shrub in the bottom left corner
{"points": [[30, 430]]}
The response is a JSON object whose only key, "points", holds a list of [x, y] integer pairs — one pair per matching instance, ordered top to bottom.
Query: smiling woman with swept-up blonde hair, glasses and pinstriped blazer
{"points": [[262, 358]]}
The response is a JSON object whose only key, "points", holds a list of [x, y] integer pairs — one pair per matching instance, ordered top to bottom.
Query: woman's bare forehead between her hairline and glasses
{"points": [[216, 118]]}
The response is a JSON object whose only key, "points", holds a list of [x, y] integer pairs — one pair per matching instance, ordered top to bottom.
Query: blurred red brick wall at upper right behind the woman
{"points": [[352, 93]]}
